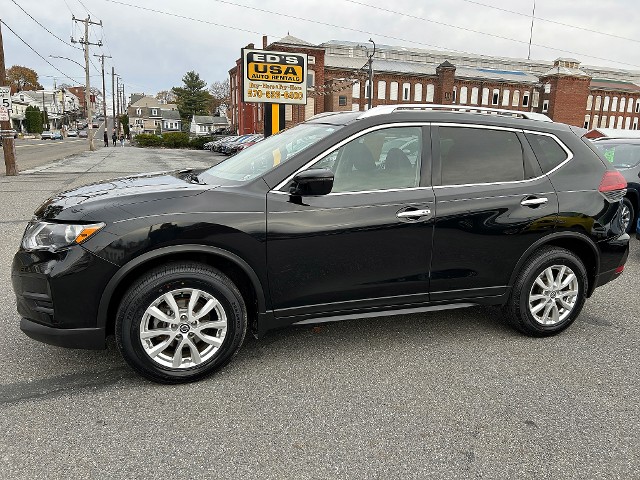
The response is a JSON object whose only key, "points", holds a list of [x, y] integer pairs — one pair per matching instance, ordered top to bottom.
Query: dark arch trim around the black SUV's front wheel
{"points": [[238, 270]]}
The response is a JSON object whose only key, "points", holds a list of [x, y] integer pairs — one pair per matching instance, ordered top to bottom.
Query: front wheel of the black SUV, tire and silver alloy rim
{"points": [[180, 322]]}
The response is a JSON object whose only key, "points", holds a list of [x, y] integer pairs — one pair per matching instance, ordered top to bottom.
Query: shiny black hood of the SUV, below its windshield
{"points": [[94, 201]]}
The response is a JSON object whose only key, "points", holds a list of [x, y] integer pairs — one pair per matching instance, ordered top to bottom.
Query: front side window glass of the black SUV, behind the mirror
{"points": [[381, 160]]}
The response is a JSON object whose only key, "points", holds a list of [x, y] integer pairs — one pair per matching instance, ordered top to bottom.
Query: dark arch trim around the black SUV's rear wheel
{"points": [[578, 243]]}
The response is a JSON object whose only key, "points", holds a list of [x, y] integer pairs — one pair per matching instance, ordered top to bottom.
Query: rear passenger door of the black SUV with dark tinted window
{"points": [[492, 203]]}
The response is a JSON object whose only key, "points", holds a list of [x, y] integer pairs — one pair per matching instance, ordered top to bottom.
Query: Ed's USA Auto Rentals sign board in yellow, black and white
{"points": [[274, 77]]}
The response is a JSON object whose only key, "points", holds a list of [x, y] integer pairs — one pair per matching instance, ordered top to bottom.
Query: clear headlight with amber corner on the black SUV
{"points": [[53, 236]]}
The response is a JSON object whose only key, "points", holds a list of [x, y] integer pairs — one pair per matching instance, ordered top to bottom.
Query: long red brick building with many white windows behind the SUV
{"points": [[584, 96]]}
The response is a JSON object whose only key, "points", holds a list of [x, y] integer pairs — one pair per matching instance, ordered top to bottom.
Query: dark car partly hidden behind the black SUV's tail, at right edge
{"points": [[624, 154]]}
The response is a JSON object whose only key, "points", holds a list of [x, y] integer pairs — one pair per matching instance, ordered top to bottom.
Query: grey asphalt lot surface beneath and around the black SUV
{"points": [[451, 394]]}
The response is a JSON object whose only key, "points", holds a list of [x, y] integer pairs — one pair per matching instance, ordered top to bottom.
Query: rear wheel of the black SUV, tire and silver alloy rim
{"points": [[548, 294]]}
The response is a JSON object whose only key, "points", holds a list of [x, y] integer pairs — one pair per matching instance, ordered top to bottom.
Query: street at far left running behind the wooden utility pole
{"points": [[33, 153]]}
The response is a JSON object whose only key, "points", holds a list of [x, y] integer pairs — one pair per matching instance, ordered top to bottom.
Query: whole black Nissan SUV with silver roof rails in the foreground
{"points": [[400, 209]]}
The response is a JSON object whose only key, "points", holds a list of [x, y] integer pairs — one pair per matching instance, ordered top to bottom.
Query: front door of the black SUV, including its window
{"points": [[368, 242]]}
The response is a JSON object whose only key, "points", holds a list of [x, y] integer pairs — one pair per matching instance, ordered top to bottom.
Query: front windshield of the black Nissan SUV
{"points": [[267, 154]]}
